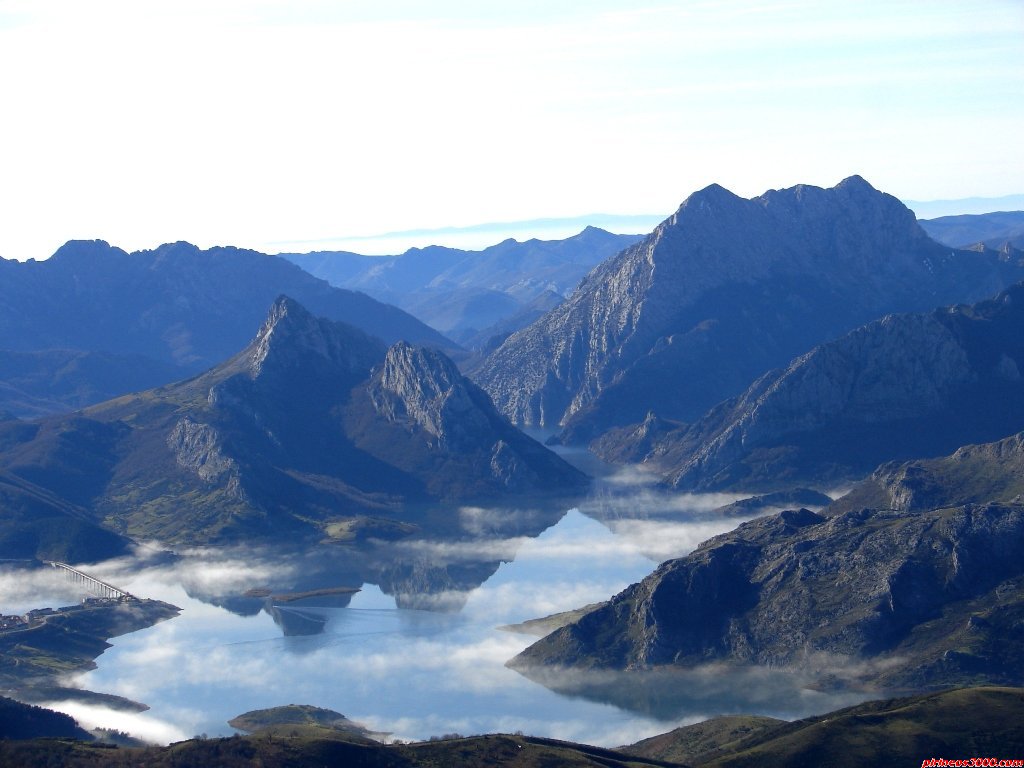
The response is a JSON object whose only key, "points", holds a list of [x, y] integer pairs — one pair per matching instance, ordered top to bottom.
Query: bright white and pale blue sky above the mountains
{"points": [[308, 124]]}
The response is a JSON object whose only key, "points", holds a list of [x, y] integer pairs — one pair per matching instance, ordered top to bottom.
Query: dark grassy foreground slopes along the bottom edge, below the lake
{"points": [[903, 732]]}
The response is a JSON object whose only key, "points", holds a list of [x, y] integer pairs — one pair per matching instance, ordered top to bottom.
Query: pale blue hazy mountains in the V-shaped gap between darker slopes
{"points": [[472, 295]]}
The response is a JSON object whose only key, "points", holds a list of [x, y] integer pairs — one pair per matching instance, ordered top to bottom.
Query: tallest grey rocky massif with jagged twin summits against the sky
{"points": [[721, 292]]}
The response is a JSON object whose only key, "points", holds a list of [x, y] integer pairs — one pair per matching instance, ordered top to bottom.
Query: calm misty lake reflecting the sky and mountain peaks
{"points": [[400, 633]]}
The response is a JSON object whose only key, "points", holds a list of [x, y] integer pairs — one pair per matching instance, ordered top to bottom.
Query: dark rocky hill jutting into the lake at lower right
{"points": [[926, 600]]}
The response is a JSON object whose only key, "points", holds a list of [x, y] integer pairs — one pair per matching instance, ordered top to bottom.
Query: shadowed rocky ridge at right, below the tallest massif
{"points": [[900, 388]]}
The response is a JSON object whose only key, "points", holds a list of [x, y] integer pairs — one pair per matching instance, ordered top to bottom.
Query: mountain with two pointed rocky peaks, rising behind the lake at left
{"points": [[315, 423]]}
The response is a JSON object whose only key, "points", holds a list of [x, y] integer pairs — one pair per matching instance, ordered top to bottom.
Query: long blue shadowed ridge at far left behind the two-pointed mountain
{"points": [[95, 322]]}
